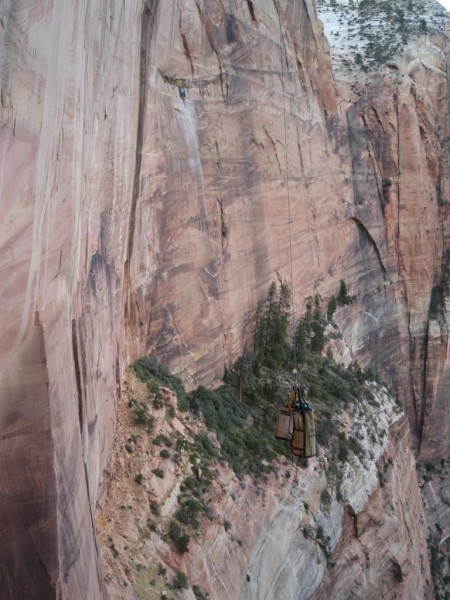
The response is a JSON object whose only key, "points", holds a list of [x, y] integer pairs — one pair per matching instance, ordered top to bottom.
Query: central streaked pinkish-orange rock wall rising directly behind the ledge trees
{"points": [[221, 94]]}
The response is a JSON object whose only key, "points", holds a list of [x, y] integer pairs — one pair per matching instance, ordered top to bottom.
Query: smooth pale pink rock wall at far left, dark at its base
{"points": [[69, 97]]}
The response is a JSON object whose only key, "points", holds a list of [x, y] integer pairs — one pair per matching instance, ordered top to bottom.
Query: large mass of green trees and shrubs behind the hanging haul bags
{"points": [[241, 414]]}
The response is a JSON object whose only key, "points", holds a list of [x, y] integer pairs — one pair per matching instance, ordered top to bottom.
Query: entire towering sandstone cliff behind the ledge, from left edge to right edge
{"points": [[145, 208]]}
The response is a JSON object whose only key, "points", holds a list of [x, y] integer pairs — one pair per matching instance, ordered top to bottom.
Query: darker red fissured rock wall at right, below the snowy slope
{"points": [[400, 172]]}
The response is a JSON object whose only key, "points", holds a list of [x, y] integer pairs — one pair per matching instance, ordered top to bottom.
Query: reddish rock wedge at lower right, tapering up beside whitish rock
{"points": [[382, 550]]}
